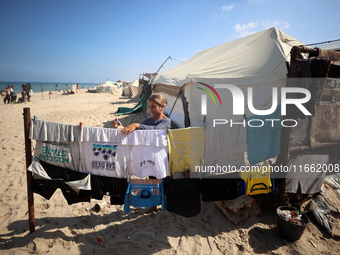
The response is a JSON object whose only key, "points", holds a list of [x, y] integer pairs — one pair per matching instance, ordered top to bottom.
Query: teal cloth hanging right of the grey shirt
{"points": [[263, 142]]}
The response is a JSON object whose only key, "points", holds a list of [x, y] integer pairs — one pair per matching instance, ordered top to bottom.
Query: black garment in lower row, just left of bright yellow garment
{"points": [[218, 189]]}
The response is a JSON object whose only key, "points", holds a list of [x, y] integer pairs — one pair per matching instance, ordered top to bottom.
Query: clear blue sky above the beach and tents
{"points": [[96, 40]]}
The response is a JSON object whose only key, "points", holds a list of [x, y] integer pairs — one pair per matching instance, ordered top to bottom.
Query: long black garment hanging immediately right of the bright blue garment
{"points": [[183, 196]]}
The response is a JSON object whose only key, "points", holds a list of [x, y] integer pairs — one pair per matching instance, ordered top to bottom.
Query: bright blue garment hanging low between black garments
{"points": [[144, 193]]}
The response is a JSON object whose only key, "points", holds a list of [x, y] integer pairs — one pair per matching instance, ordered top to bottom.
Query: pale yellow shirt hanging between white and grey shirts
{"points": [[186, 149]]}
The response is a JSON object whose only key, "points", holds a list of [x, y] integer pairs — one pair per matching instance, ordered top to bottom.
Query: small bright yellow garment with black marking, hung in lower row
{"points": [[256, 182]]}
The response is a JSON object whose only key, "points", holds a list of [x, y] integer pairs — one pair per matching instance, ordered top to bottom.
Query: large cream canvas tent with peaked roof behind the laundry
{"points": [[259, 60]]}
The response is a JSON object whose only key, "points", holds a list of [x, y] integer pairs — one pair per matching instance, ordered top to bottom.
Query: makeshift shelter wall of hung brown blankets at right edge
{"points": [[315, 141]]}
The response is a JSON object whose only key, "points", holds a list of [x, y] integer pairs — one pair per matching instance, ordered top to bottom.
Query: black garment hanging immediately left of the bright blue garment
{"points": [[116, 187]]}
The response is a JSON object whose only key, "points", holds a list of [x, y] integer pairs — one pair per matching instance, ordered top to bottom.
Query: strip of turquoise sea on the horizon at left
{"points": [[45, 86]]}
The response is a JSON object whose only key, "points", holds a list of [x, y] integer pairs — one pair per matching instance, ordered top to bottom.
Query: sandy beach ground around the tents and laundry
{"points": [[74, 229]]}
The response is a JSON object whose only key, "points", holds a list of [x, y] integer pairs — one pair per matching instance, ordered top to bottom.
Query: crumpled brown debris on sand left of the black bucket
{"points": [[239, 209]]}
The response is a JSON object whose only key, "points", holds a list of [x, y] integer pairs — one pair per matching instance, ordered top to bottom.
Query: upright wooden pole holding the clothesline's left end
{"points": [[28, 151]]}
